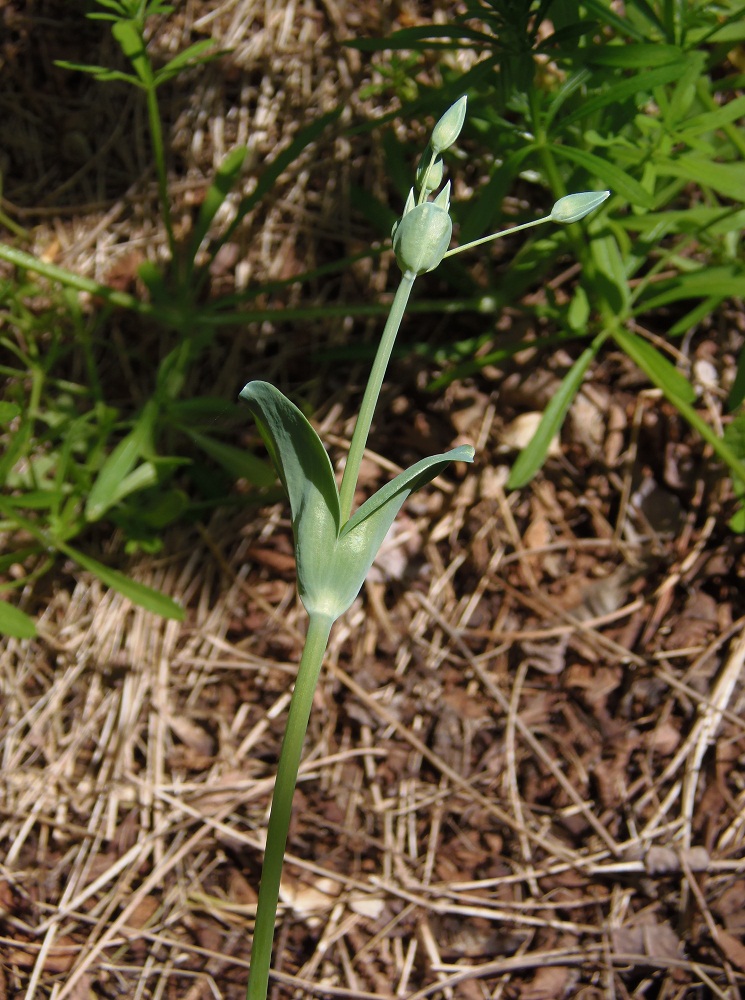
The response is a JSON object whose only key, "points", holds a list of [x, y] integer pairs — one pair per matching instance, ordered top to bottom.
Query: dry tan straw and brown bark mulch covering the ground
{"points": [[524, 772]]}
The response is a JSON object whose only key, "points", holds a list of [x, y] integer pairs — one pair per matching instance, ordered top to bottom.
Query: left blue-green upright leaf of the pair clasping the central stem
{"points": [[305, 471]]}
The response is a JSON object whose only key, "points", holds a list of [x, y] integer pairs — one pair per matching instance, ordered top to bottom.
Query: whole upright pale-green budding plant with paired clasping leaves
{"points": [[335, 548]]}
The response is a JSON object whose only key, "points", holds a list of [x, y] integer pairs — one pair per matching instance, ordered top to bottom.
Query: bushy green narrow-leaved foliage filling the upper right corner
{"points": [[566, 91]]}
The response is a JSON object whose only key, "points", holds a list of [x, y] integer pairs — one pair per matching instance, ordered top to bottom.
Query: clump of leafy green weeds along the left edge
{"points": [[70, 459]]}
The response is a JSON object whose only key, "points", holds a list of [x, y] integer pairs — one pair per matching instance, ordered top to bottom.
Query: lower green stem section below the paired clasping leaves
{"points": [[319, 629]]}
